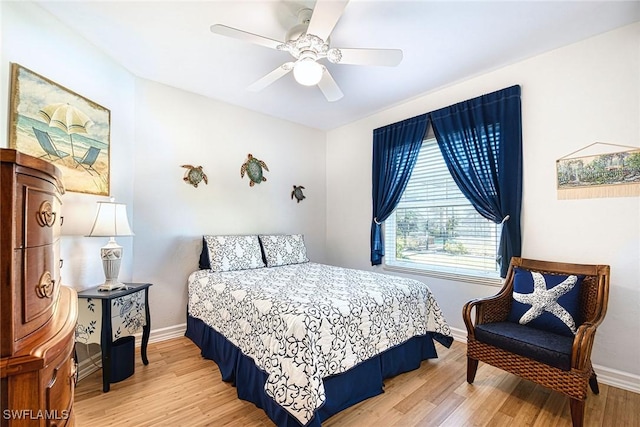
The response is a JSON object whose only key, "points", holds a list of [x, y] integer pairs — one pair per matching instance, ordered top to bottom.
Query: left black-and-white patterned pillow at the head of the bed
{"points": [[228, 253]]}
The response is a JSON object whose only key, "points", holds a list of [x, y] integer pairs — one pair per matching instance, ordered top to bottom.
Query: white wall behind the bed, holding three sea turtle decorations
{"points": [[174, 128]]}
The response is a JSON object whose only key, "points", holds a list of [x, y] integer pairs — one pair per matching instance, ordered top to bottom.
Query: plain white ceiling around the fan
{"points": [[443, 42]]}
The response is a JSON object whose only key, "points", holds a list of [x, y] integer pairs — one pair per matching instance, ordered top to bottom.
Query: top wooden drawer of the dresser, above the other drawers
{"points": [[40, 206]]}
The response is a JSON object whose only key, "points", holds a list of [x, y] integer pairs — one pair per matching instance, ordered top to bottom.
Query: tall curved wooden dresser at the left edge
{"points": [[38, 316]]}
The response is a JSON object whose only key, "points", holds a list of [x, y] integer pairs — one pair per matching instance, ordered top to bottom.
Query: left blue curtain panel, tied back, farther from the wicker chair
{"points": [[395, 151]]}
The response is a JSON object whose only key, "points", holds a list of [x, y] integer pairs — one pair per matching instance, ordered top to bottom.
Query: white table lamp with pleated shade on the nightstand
{"points": [[111, 221]]}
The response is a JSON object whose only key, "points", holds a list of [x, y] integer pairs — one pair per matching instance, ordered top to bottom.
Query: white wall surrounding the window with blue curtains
{"points": [[571, 97]]}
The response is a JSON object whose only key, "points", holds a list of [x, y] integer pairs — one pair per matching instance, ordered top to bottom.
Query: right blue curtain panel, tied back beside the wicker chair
{"points": [[481, 142]]}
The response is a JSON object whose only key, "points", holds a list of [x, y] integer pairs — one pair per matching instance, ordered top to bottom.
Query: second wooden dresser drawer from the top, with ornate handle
{"points": [[37, 289]]}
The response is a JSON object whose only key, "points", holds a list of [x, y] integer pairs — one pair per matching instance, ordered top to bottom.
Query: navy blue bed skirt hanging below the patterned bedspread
{"points": [[341, 391]]}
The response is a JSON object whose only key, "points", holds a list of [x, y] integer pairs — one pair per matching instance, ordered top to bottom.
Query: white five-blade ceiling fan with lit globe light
{"points": [[308, 42]]}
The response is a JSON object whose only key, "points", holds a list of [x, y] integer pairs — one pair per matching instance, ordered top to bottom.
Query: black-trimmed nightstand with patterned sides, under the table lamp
{"points": [[132, 306]]}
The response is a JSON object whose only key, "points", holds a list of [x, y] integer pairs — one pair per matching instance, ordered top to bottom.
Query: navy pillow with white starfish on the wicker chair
{"points": [[546, 301]]}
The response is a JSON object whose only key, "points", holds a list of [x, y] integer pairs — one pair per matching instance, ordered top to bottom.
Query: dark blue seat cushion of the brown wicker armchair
{"points": [[545, 347]]}
